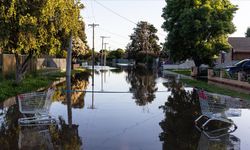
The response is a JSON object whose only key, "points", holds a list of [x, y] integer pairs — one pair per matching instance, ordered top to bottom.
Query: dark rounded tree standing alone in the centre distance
{"points": [[144, 44]]}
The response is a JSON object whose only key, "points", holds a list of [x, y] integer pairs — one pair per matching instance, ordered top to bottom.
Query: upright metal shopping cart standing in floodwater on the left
{"points": [[35, 108]]}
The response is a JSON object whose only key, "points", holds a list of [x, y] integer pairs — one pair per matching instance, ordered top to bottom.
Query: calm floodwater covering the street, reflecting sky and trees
{"points": [[130, 109]]}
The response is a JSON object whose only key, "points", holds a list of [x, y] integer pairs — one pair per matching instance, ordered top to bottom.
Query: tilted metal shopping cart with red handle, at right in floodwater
{"points": [[213, 110]]}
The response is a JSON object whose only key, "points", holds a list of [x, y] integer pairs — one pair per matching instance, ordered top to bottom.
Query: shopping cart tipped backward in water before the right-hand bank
{"points": [[217, 111]]}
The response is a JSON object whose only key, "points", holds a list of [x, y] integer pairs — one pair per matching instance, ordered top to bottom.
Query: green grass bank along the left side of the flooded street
{"points": [[32, 82]]}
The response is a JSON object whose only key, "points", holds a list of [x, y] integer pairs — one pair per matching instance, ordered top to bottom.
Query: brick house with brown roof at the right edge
{"points": [[240, 49]]}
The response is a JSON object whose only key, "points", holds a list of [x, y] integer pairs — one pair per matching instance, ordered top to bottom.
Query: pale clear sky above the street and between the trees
{"points": [[117, 18]]}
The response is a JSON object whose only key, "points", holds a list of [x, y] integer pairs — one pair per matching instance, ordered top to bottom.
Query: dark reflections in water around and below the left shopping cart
{"points": [[59, 136]]}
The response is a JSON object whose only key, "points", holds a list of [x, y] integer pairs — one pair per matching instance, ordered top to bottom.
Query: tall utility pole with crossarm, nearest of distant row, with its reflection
{"points": [[93, 25]]}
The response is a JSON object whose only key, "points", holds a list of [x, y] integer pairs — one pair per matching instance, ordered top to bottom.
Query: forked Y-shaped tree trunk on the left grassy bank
{"points": [[21, 67]]}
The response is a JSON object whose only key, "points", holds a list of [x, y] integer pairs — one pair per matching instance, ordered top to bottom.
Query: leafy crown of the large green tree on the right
{"points": [[197, 29]]}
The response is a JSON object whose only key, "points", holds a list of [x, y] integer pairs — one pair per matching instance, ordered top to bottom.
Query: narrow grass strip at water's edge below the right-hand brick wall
{"points": [[215, 89]]}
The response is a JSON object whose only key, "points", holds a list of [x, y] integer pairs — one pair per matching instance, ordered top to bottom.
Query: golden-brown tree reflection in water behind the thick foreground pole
{"points": [[79, 82]]}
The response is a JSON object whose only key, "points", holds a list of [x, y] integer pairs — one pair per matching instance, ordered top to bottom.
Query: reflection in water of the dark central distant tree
{"points": [[143, 85]]}
